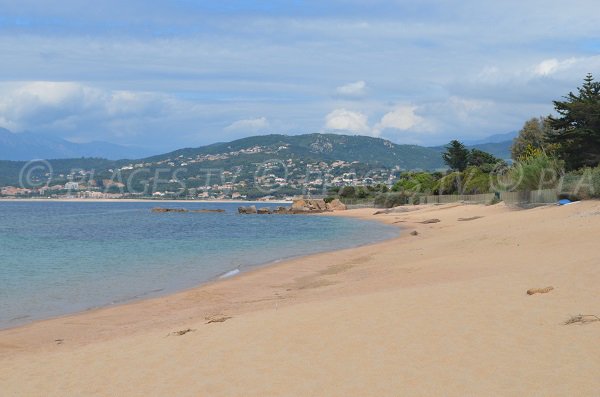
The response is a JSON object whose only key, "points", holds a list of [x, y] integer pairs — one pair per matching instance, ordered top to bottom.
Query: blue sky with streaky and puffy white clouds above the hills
{"points": [[182, 73]]}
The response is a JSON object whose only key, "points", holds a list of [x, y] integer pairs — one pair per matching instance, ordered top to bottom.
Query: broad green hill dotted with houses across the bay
{"points": [[286, 163]]}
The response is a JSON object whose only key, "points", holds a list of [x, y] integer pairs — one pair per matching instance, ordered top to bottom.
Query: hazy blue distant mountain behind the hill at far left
{"points": [[27, 146]]}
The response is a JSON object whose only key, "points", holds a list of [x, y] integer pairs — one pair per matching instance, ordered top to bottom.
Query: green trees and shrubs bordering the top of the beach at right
{"points": [[561, 153]]}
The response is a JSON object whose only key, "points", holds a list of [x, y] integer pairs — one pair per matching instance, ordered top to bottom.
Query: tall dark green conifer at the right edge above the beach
{"points": [[577, 130]]}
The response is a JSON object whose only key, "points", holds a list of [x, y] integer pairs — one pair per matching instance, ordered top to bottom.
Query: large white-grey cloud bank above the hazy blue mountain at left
{"points": [[80, 111]]}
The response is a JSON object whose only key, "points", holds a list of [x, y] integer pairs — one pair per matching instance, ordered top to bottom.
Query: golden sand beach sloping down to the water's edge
{"points": [[444, 312]]}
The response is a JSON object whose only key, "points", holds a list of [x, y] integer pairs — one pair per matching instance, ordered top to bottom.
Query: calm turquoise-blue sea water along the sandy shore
{"points": [[61, 257]]}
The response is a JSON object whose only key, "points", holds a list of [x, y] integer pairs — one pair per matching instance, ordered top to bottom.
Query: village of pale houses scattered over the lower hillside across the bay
{"points": [[279, 178]]}
